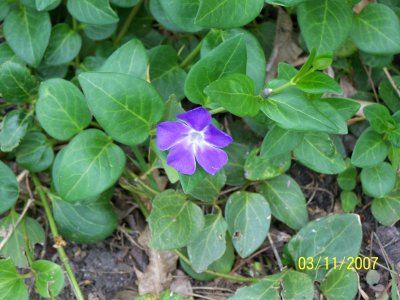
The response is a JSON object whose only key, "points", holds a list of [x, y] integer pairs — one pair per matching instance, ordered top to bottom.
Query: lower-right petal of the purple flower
{"points": [[210, 158]]}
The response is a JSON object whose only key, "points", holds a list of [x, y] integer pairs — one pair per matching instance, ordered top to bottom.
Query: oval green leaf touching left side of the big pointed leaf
{"points": [[61, 109]]}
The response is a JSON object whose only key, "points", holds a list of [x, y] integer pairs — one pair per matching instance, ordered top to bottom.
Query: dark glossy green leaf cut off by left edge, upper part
{"points": [[17, 85]]}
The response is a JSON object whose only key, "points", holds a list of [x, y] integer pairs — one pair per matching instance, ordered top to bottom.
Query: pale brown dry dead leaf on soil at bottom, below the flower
{"points": [[158, 275]]}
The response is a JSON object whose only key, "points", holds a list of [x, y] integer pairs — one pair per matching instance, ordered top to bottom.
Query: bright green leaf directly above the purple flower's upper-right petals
{"points": [[236, 93]]}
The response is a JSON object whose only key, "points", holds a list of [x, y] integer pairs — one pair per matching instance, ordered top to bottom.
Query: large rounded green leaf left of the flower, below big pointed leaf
{"points": [[90, 164]]}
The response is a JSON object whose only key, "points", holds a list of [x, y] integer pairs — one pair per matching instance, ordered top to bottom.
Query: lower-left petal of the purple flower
{"points": [[181, 157]]}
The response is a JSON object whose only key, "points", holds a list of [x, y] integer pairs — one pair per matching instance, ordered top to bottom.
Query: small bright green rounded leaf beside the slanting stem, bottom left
{"points": [[49, 278]]}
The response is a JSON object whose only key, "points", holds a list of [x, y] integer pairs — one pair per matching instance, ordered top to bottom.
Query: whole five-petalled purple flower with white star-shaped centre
{"points": [[194, 139]]}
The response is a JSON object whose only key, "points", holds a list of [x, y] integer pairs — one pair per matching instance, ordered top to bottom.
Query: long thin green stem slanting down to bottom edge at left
{"points": [[54, 231]]}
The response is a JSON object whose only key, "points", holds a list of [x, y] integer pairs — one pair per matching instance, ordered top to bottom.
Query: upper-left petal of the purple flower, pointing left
{"points": [[170, 133]]}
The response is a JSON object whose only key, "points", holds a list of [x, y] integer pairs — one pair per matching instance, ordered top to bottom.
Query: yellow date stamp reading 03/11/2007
{"points": [[348, 262]]}
